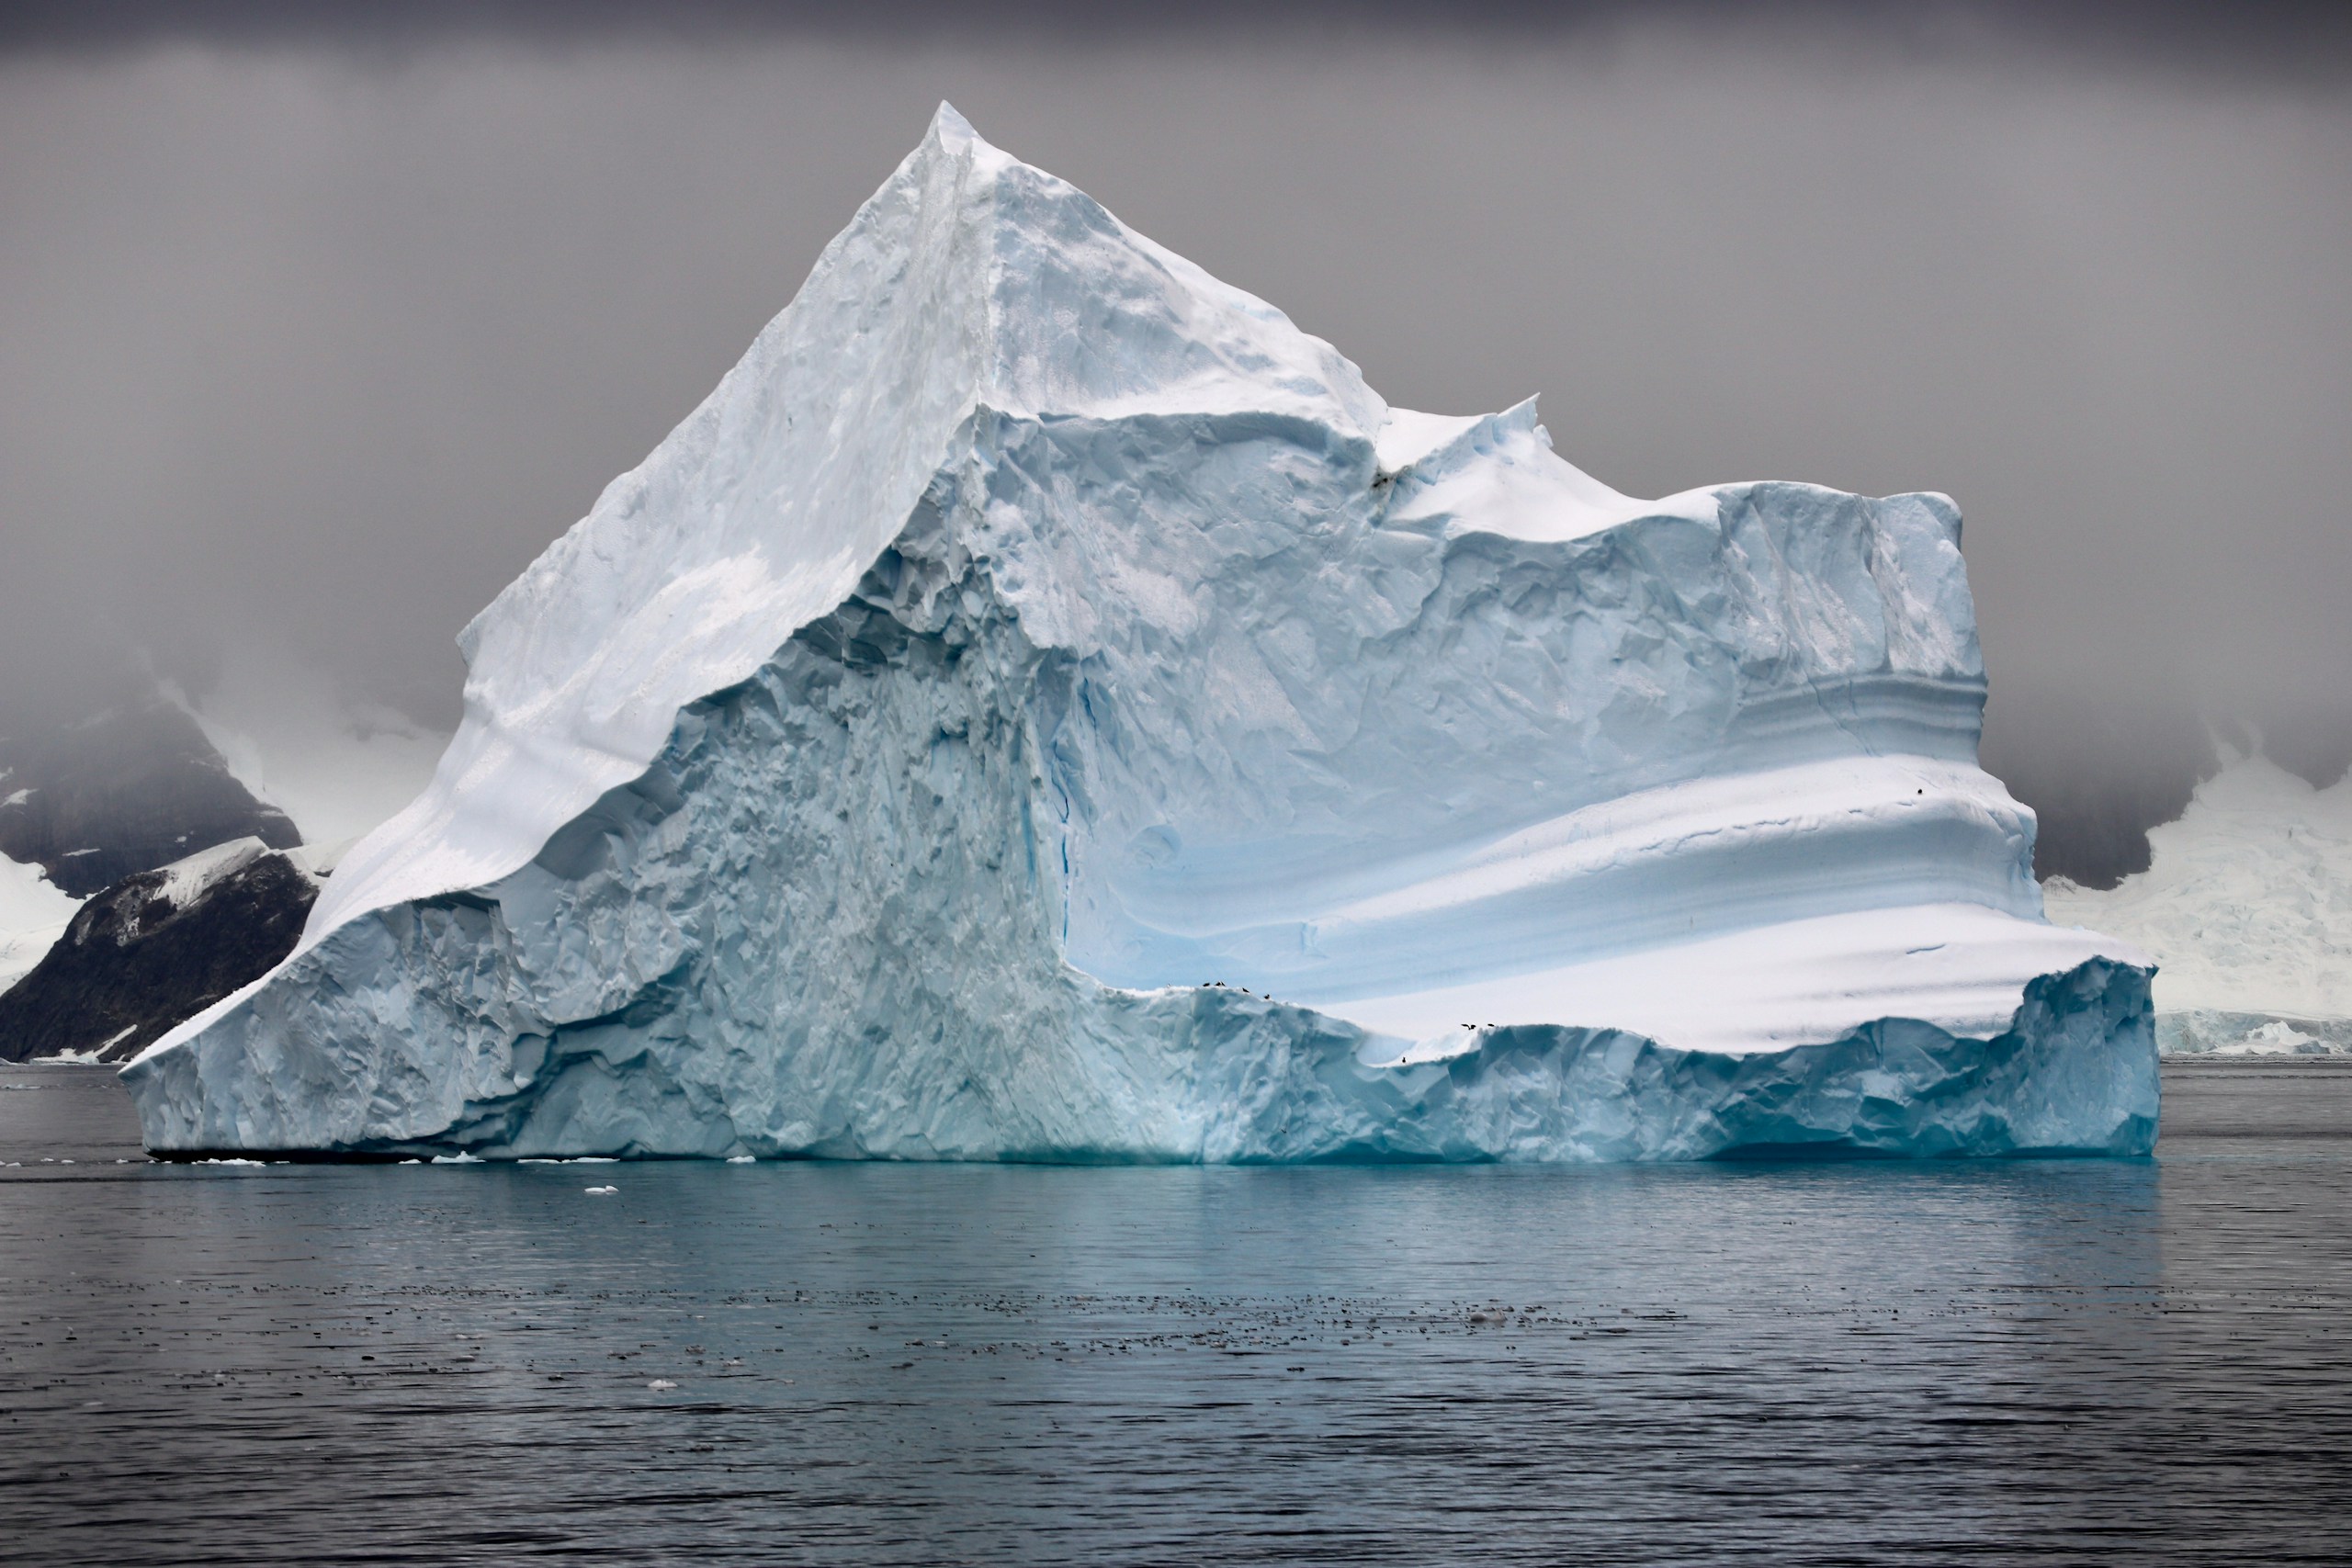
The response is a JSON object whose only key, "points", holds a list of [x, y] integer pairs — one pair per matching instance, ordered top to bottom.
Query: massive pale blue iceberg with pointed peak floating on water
{"points": [[1048, 706]]}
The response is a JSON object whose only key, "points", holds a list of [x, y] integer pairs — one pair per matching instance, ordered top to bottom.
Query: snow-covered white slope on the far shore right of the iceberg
{"points": [[2247, 909]]}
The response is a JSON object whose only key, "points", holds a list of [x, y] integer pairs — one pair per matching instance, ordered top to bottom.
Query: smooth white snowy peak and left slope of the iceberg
{"points": [[968, 283]]}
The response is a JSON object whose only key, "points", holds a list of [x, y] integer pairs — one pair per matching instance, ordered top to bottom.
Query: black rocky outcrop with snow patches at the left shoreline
{"points": [[159, 949]]}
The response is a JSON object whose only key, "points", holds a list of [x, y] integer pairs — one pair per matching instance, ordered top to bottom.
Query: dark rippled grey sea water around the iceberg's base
{"points": [[940, 1365]]}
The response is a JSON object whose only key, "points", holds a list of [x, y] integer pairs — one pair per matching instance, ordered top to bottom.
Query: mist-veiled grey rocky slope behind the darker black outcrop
{"points": [[126, 791]]}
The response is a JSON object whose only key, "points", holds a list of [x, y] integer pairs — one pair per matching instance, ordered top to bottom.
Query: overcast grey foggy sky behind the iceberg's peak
{"points": [[316, 330]]}
